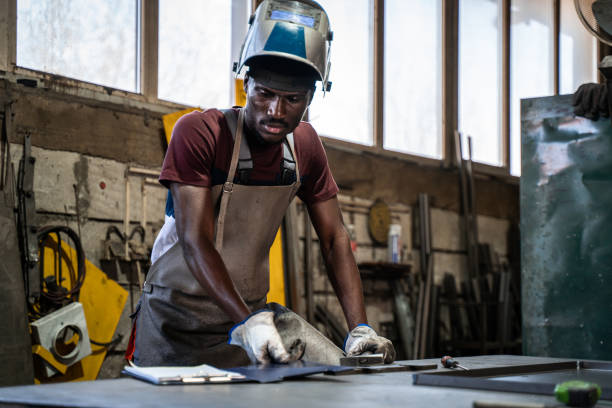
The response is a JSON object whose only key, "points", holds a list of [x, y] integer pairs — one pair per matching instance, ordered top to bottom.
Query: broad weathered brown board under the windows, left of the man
{"points": [[58, 122]]}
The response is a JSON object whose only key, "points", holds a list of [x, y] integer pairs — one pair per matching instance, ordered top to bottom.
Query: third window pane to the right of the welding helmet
{"points": [[479, 78]]}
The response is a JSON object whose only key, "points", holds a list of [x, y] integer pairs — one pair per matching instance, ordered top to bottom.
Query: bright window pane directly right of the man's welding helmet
{"points": [[346, 112]]}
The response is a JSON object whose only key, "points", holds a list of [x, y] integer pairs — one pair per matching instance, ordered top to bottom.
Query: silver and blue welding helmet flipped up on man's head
{"points": [[297, 30]]}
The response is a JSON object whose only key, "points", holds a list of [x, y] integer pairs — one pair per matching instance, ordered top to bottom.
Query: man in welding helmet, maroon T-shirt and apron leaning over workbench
{"points": [[231, 176]]}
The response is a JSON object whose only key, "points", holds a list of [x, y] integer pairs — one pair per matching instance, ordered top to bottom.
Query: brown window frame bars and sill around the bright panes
{"points": [[147, 72]]}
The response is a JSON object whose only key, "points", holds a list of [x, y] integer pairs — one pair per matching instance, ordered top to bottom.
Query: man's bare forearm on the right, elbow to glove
{"points": [[344, 276]]}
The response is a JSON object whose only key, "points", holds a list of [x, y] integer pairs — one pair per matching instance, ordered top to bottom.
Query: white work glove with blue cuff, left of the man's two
{"points": [[258, 336]]}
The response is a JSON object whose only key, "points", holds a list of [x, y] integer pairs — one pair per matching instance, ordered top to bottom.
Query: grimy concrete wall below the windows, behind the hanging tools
{"points": [[84, 145]]}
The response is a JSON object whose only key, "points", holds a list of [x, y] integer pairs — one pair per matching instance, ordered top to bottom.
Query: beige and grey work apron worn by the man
{"points": [[177, 321]]}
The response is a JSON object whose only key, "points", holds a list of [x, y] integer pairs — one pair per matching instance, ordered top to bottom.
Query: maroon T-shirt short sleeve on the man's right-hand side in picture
{"points": [[318, 184]]}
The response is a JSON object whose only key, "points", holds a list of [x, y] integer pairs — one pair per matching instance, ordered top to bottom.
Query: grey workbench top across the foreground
{"points": [[393, 389]]}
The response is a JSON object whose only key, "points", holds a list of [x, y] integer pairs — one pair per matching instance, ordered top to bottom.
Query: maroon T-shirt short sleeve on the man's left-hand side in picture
{"points": [[190, 155]]}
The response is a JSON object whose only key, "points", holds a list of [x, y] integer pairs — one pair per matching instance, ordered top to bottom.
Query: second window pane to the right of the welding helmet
{"points": [[413, 77]]}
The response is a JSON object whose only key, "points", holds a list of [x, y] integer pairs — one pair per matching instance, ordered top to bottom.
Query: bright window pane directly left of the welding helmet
{"points": [[195, 52]]}
